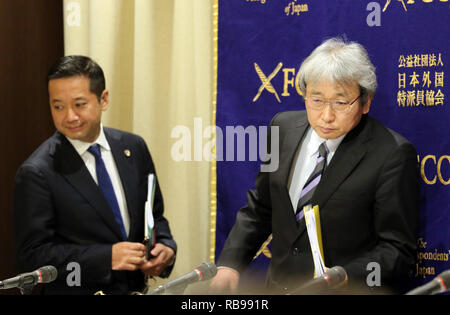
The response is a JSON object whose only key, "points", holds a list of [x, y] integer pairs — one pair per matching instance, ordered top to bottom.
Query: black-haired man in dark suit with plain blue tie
{"points": [[79, 198]]}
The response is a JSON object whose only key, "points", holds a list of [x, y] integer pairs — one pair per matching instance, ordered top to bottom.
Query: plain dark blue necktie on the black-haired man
{"points": [[105, 185]]}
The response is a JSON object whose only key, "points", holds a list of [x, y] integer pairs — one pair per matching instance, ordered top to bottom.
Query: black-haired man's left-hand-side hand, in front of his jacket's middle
{"points": [[127, 256]]}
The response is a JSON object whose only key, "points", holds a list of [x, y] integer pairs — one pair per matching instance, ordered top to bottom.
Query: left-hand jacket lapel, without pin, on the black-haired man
{"points": [[72, 167]]}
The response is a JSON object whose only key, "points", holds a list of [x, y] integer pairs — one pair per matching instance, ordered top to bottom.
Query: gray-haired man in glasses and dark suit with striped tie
{"points": [[362, 175]]}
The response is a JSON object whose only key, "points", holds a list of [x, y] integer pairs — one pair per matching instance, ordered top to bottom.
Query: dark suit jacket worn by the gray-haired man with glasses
{"points": [[368, 201]]}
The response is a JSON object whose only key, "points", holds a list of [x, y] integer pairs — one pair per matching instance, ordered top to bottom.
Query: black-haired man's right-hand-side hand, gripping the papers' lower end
{"points": [[162, 257]]}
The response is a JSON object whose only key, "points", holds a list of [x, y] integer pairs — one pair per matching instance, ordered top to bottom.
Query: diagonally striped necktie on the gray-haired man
{"points": [[312, 182]]}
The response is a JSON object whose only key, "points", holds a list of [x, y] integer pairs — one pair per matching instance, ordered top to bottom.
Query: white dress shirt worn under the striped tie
{"points": [[306, 161]]}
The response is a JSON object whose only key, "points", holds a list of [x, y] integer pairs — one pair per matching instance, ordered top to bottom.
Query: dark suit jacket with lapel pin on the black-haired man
{"points": [[61, 216]]}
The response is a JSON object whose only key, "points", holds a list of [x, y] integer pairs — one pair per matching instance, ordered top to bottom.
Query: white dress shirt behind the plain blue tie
{"points": [[89, 160]]}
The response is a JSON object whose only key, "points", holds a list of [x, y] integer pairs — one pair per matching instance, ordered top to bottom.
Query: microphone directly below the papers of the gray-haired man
{"points": [[331, 278]]}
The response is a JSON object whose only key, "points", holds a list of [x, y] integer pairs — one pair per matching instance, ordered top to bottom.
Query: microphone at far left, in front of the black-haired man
{"points": [[44, 274]]}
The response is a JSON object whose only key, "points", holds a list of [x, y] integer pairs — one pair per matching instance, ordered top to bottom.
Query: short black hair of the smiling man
{"points": [[70, 66]]}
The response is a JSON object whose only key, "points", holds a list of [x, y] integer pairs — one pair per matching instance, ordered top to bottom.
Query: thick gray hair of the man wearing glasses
{"points": [[339, 61]]}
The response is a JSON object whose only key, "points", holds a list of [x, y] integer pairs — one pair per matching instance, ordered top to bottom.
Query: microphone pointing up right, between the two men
{"points": [[203, 272]]}
